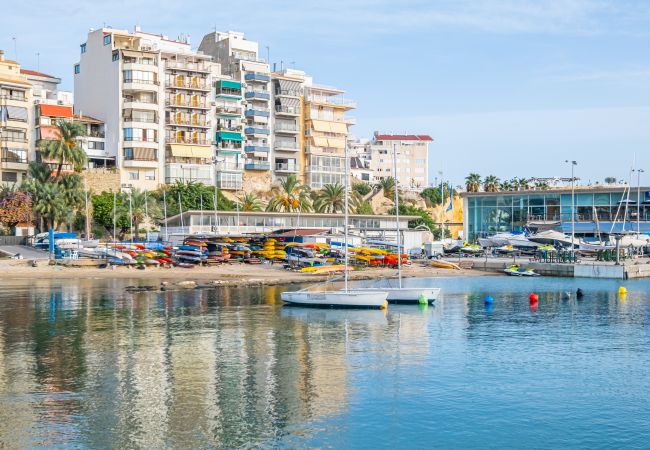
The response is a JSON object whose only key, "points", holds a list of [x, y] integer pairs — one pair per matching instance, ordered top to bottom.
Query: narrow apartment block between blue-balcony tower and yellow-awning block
{"points": [[288, 125]]}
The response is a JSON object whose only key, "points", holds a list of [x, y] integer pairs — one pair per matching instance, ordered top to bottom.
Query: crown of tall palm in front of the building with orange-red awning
{"points": [[65, 148]]}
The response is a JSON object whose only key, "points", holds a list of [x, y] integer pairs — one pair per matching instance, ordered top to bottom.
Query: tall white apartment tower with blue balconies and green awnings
{"points": [[240, 60]]}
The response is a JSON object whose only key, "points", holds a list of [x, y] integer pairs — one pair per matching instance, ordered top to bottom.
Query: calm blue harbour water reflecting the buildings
{"points": [[86, 365]]}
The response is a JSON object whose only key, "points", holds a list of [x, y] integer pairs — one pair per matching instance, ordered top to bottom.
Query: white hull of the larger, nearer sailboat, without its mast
{"points": [[337, 299]]}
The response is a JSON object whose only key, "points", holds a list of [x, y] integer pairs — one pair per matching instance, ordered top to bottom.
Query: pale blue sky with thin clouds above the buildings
{"points": [[504, 87]]}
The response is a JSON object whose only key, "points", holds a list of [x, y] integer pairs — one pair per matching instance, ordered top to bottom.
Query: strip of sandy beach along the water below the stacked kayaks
{"points": [[224, 275]]}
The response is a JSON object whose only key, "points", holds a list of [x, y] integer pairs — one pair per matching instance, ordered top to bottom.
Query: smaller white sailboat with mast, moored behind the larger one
{"points": [[400, 294]]}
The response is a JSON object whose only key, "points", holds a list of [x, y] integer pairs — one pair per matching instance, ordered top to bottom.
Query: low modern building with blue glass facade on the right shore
{"points": [[597, 209]]}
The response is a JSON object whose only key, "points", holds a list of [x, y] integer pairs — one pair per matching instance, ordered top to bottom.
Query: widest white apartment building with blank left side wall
{"points": [[156, 98]]}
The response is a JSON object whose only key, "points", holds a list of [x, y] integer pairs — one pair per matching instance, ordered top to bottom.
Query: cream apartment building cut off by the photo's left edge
{"points": [[15, 122]]}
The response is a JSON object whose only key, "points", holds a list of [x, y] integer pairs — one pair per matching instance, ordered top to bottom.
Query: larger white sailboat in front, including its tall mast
{"points": [[344, 298]]}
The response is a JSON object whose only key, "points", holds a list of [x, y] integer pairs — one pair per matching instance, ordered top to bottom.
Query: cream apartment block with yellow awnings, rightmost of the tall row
{"points": [[326, 131]]}
